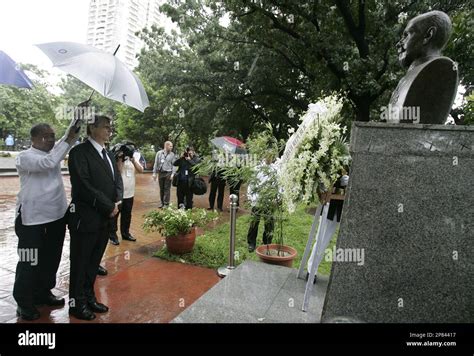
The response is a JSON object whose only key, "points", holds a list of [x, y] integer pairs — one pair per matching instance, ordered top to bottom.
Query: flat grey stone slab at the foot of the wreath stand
{"points": [[257, 292]]}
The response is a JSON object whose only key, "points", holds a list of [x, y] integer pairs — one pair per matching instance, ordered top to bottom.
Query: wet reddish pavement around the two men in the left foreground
{"points": [[138, 289]]}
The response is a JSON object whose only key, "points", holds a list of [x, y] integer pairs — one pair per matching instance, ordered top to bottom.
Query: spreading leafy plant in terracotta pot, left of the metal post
{"points": [[178, 226]]}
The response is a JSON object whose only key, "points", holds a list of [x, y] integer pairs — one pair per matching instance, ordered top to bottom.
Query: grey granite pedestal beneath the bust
{"points": [[410, 207]]}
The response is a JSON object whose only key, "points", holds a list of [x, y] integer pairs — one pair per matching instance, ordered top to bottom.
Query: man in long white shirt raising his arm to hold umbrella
{"points": [[40, 224]]}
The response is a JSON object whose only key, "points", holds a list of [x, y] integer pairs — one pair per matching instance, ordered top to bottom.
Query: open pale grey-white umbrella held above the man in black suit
{"points": [[102, 71]]}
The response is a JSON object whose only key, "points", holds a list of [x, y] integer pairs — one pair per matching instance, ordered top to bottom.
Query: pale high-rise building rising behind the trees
{"points": [[114, 22]]}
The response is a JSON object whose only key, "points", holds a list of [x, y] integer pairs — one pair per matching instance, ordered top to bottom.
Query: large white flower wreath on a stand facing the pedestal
{"points": [[314, 154]]}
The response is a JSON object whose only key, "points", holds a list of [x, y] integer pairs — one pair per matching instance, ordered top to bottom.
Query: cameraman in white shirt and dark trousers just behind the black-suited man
{"points": [[128, 164]]}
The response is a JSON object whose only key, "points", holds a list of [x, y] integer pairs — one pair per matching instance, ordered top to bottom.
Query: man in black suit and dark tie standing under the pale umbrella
{"points": [[96, 189]]}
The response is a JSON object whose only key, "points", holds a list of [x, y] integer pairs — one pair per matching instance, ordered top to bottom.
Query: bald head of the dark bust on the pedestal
{"points": [[424, 36]]}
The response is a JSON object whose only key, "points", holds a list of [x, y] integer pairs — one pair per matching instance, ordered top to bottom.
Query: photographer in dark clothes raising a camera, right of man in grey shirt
{"points": [[186, 176]]}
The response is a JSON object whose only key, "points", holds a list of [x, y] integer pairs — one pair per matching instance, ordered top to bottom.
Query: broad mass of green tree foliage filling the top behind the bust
{"points": [[237, 65]]}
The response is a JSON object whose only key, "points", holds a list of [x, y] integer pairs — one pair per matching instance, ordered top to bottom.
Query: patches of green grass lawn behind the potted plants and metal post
{"points": [[212, 248]]}
